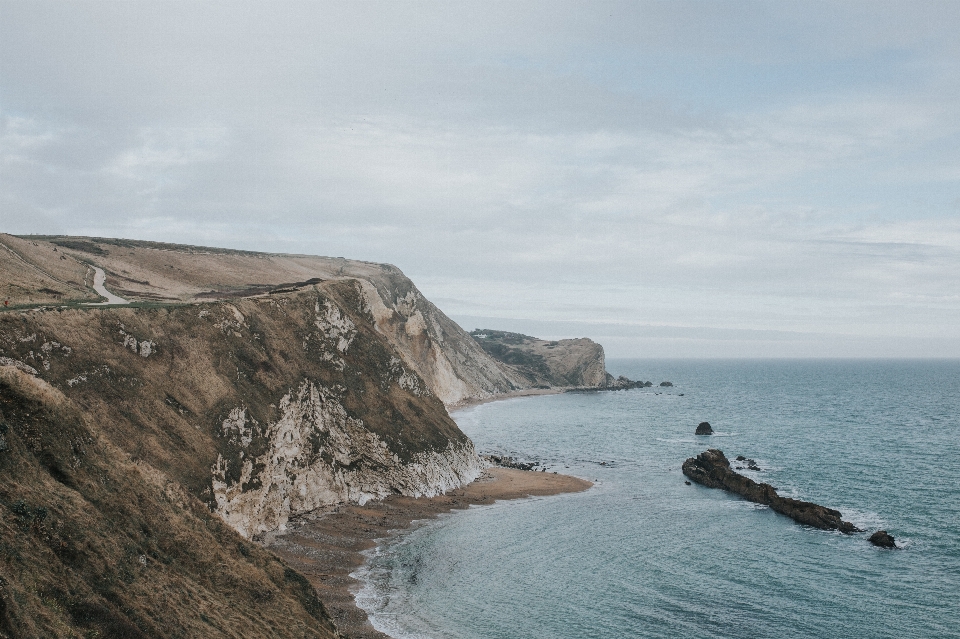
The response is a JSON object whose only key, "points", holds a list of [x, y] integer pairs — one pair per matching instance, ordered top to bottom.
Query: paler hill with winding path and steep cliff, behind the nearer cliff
{"points": [[59, 271]]}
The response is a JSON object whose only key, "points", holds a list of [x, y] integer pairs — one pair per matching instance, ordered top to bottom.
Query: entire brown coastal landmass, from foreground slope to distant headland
{"points": [[154, 444]]}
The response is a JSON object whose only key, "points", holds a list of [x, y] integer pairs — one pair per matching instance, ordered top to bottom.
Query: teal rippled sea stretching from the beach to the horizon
{"points": [[644, 555]]}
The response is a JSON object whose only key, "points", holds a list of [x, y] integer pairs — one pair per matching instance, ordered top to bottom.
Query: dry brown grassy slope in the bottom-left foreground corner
{"points": [[99, 543]]}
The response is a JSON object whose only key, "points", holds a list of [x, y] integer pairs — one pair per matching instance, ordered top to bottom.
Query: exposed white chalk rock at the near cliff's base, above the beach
{"points": [[316, 455]]}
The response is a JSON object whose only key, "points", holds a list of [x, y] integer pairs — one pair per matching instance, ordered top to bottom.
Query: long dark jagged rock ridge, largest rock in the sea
{"points": [[712, 469]]}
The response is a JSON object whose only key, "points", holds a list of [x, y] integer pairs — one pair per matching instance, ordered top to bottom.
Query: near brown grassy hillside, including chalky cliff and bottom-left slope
{"points": [[116, 420]]}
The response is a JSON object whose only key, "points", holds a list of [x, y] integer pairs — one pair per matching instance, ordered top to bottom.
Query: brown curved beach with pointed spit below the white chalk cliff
{"points": [[326, 547]]}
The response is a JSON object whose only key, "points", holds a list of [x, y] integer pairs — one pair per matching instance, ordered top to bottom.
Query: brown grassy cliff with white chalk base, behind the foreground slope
{"points": [[262, 407]]}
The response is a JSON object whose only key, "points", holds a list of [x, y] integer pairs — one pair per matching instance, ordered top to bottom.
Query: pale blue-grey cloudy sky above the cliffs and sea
{"points": [[672, 179]]}
